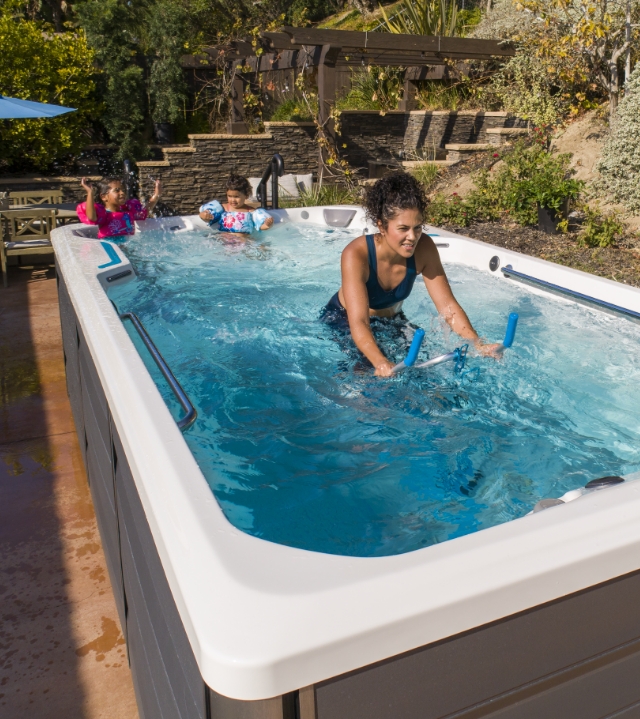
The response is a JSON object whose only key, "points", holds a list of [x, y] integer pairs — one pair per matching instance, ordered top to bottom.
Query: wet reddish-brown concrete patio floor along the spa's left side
{"points": [[62, 652]]}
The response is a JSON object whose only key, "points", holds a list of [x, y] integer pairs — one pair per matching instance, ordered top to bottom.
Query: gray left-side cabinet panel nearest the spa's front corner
{"points": [[166, 676]]}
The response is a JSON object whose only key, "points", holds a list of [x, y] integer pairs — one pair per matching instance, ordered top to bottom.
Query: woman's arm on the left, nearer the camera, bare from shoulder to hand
{"points": [[355, 268]]}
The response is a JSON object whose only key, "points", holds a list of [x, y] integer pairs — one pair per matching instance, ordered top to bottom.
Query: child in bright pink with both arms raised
{"points": [[107, 206]]}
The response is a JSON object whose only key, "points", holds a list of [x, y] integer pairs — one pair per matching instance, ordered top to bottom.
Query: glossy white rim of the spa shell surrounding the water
{"points": [[264, 619]]}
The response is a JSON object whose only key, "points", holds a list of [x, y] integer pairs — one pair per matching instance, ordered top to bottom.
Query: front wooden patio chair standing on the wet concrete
{"points": [[28, 233]]}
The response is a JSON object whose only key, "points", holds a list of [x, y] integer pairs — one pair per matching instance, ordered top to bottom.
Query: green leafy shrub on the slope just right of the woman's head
{"points": [[528, 176]]}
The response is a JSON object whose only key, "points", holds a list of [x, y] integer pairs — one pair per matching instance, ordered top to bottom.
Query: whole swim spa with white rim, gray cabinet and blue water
{"points": [[244, 586]]}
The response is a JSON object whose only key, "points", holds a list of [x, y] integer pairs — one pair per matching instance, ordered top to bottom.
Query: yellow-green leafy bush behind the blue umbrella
{"points": [[39, 65]]}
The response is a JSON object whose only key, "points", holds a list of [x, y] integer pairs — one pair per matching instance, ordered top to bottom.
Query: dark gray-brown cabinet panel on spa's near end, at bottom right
{"points": [[575, 658]]}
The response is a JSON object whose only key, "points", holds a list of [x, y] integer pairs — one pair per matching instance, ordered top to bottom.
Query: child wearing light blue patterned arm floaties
{"points": [[236, 215]]}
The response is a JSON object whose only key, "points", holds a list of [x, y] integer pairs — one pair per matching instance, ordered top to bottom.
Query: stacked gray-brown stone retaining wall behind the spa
{"points": [[194, 173]]}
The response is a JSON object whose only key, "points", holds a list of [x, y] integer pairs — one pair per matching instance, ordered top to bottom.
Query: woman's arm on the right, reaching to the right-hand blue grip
{"points": [[440, 292]]}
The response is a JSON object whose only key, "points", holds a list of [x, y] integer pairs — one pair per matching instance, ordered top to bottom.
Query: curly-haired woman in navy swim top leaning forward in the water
{"points": [[393, 259]]}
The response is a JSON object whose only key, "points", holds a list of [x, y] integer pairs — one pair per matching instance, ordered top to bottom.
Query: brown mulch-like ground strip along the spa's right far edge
{"points": [[620, 263]]}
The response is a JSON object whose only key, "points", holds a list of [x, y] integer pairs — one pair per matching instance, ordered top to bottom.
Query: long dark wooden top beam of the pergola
{"points": [[443, 46]]}
